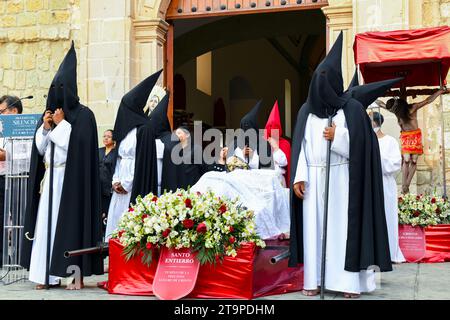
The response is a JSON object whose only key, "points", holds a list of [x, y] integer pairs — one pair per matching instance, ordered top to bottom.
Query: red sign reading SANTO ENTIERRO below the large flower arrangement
{"points": [[176, 274]]}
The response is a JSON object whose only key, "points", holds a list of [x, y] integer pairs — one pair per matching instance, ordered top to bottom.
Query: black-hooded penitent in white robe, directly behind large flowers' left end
{"points": [[136, 152]]}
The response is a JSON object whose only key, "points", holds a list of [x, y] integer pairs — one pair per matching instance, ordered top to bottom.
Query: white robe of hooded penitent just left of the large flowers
{"points": [[123, 173]]}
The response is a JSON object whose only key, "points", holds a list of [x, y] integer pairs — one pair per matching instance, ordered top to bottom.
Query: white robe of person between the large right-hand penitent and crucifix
{"points": [[391, 161]]}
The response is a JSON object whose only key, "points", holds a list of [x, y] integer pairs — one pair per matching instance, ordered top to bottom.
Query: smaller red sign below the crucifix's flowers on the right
{"points": [[412, 242]]}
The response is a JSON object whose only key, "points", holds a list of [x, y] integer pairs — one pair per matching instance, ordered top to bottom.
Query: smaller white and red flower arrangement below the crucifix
{"points": [[423, 210]]}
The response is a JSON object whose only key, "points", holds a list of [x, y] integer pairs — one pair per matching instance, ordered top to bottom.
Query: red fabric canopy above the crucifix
{"points": [[413, 54]]}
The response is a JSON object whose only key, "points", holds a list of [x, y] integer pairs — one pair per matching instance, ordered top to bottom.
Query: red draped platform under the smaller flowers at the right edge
{"points": [[438, 243]]}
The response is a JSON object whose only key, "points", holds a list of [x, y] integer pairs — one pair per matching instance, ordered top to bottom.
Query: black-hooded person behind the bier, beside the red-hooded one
{"points": [[251, 138]]}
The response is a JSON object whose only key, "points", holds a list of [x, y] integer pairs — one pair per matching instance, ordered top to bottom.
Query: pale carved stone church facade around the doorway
{"points": [[120, 42]]}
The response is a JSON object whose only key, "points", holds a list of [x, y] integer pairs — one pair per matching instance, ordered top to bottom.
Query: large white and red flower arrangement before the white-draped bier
{"points": [[212, 226]]}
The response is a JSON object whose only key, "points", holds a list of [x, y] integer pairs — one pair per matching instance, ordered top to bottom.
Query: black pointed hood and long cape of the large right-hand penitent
{"points": [[367, 239]]}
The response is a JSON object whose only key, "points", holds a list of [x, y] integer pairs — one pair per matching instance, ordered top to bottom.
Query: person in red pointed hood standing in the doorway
{"points": [[273, 130]]}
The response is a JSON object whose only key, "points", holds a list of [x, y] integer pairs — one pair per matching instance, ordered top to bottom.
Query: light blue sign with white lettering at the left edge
{"points": [[18, 125]]}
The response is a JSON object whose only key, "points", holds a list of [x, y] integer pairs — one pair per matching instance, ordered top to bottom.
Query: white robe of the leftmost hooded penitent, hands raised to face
{"points": [[60, 136]]}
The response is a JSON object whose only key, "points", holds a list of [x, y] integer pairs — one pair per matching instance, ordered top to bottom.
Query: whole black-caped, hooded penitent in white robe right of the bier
{"points": [[357, 233]]}
